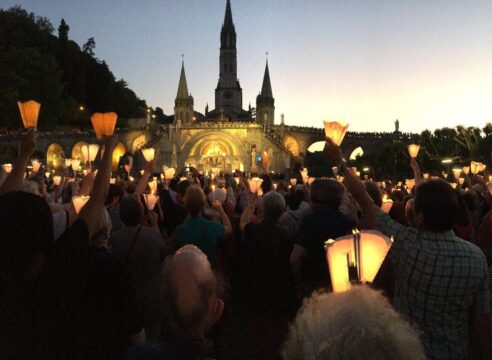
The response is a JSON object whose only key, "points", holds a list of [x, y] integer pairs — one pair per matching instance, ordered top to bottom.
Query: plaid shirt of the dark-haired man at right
{"points": [[440, 280]]}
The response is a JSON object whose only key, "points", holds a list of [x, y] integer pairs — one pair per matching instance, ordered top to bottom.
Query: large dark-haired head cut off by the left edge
{"points": [[26, 233]]}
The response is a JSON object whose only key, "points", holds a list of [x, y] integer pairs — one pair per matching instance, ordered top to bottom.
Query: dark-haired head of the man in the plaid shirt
{"points": [[436, 206]]}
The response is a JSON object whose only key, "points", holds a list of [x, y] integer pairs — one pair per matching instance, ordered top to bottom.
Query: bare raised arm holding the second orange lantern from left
{"points": [[91, 212]]}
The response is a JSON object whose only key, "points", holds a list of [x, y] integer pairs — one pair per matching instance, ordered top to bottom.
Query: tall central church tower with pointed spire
{"points": [[228, 94]]}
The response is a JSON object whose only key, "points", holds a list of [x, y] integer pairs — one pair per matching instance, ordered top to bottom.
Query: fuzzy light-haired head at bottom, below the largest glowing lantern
{"points": [[355, 324]]}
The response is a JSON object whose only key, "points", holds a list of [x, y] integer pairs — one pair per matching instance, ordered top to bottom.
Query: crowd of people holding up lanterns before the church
{"points": [[220, 269]]}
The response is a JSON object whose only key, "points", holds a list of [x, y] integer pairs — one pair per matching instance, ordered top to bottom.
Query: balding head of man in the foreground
{"points": [[190, 295]]}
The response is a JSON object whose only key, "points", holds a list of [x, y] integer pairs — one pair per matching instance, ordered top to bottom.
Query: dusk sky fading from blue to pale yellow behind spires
{"points": [[426, 63]]}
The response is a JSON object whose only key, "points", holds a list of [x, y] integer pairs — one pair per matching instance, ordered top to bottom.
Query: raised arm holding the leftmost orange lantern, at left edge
{"points": [[15, 179]]}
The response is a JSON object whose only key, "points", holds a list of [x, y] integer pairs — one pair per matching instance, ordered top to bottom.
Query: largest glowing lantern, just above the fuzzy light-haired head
{"points": [[366, 250]]}
